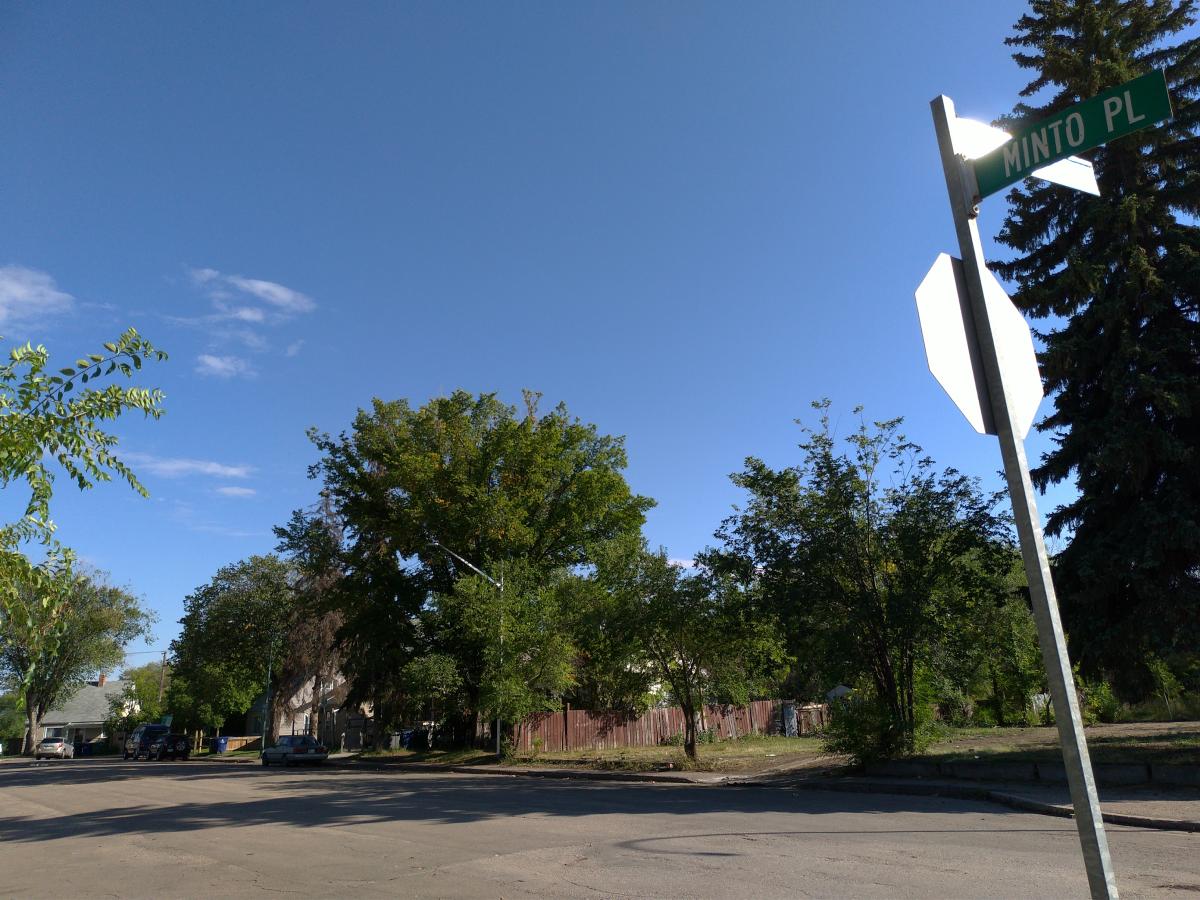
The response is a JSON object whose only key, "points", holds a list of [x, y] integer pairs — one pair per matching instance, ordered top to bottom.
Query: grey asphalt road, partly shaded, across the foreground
{"points": [[206, 830]]}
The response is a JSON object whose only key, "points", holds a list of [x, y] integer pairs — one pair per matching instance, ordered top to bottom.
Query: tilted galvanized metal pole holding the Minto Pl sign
{"points": [[961, 183]]}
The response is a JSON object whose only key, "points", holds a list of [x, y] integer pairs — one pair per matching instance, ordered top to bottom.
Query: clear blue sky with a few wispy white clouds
{"points": [[685, 220]]}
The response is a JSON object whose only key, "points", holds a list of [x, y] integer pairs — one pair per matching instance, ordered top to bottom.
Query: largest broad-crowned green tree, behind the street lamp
{"points": [[527, 495]]}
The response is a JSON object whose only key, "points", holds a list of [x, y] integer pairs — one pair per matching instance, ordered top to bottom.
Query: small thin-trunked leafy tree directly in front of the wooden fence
{"points": [[700, 634]]}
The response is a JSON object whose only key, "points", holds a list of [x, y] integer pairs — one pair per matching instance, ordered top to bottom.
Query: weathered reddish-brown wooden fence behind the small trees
{"points": [[585, 729]]}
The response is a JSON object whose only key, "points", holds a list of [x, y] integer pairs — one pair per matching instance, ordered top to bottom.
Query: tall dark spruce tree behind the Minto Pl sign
{"points": [[1117, 280]]}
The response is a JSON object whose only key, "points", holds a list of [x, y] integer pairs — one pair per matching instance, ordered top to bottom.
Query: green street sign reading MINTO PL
{"points": [[1117, 112]]}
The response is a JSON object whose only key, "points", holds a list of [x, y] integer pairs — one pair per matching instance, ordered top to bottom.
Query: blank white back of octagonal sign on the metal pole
{"points": [[949, 331]]}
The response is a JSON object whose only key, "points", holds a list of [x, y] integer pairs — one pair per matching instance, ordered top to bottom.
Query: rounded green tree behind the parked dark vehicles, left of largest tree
{"points": [[233, 631]]}
